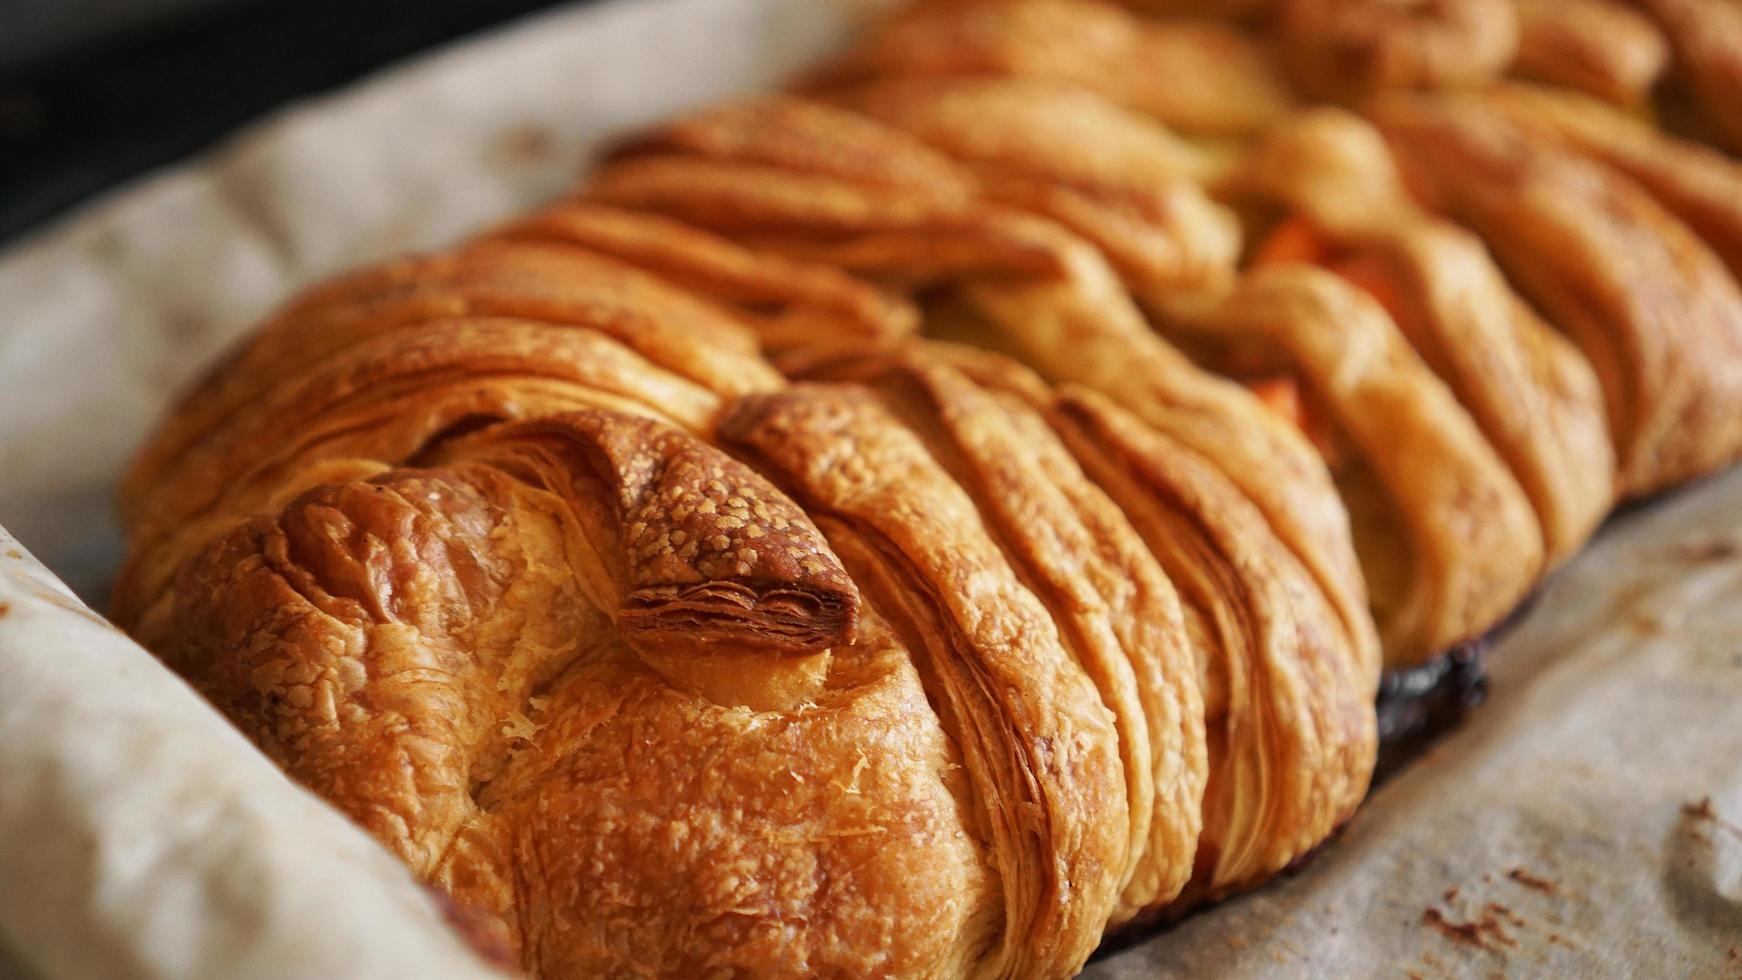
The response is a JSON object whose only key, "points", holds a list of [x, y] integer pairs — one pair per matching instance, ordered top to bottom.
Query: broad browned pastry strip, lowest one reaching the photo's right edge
{"points": [[1647, 302]]}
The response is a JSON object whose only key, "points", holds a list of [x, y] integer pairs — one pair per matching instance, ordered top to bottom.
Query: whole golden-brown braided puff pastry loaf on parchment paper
{"points": [[926, 521]]}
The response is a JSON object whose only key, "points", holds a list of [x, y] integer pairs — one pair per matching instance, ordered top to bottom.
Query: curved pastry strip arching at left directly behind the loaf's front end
{"points": [[379, 405]]}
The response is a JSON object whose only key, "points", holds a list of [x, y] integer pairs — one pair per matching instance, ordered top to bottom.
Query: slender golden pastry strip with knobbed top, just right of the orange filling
{"points": [[1527, 387]]}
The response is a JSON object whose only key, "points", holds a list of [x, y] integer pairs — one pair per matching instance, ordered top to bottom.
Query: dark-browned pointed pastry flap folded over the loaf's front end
{"points": [[713, 561]]}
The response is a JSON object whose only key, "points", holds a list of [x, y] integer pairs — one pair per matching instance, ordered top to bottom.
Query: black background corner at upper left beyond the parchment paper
{"points": [[97, 91]]}
